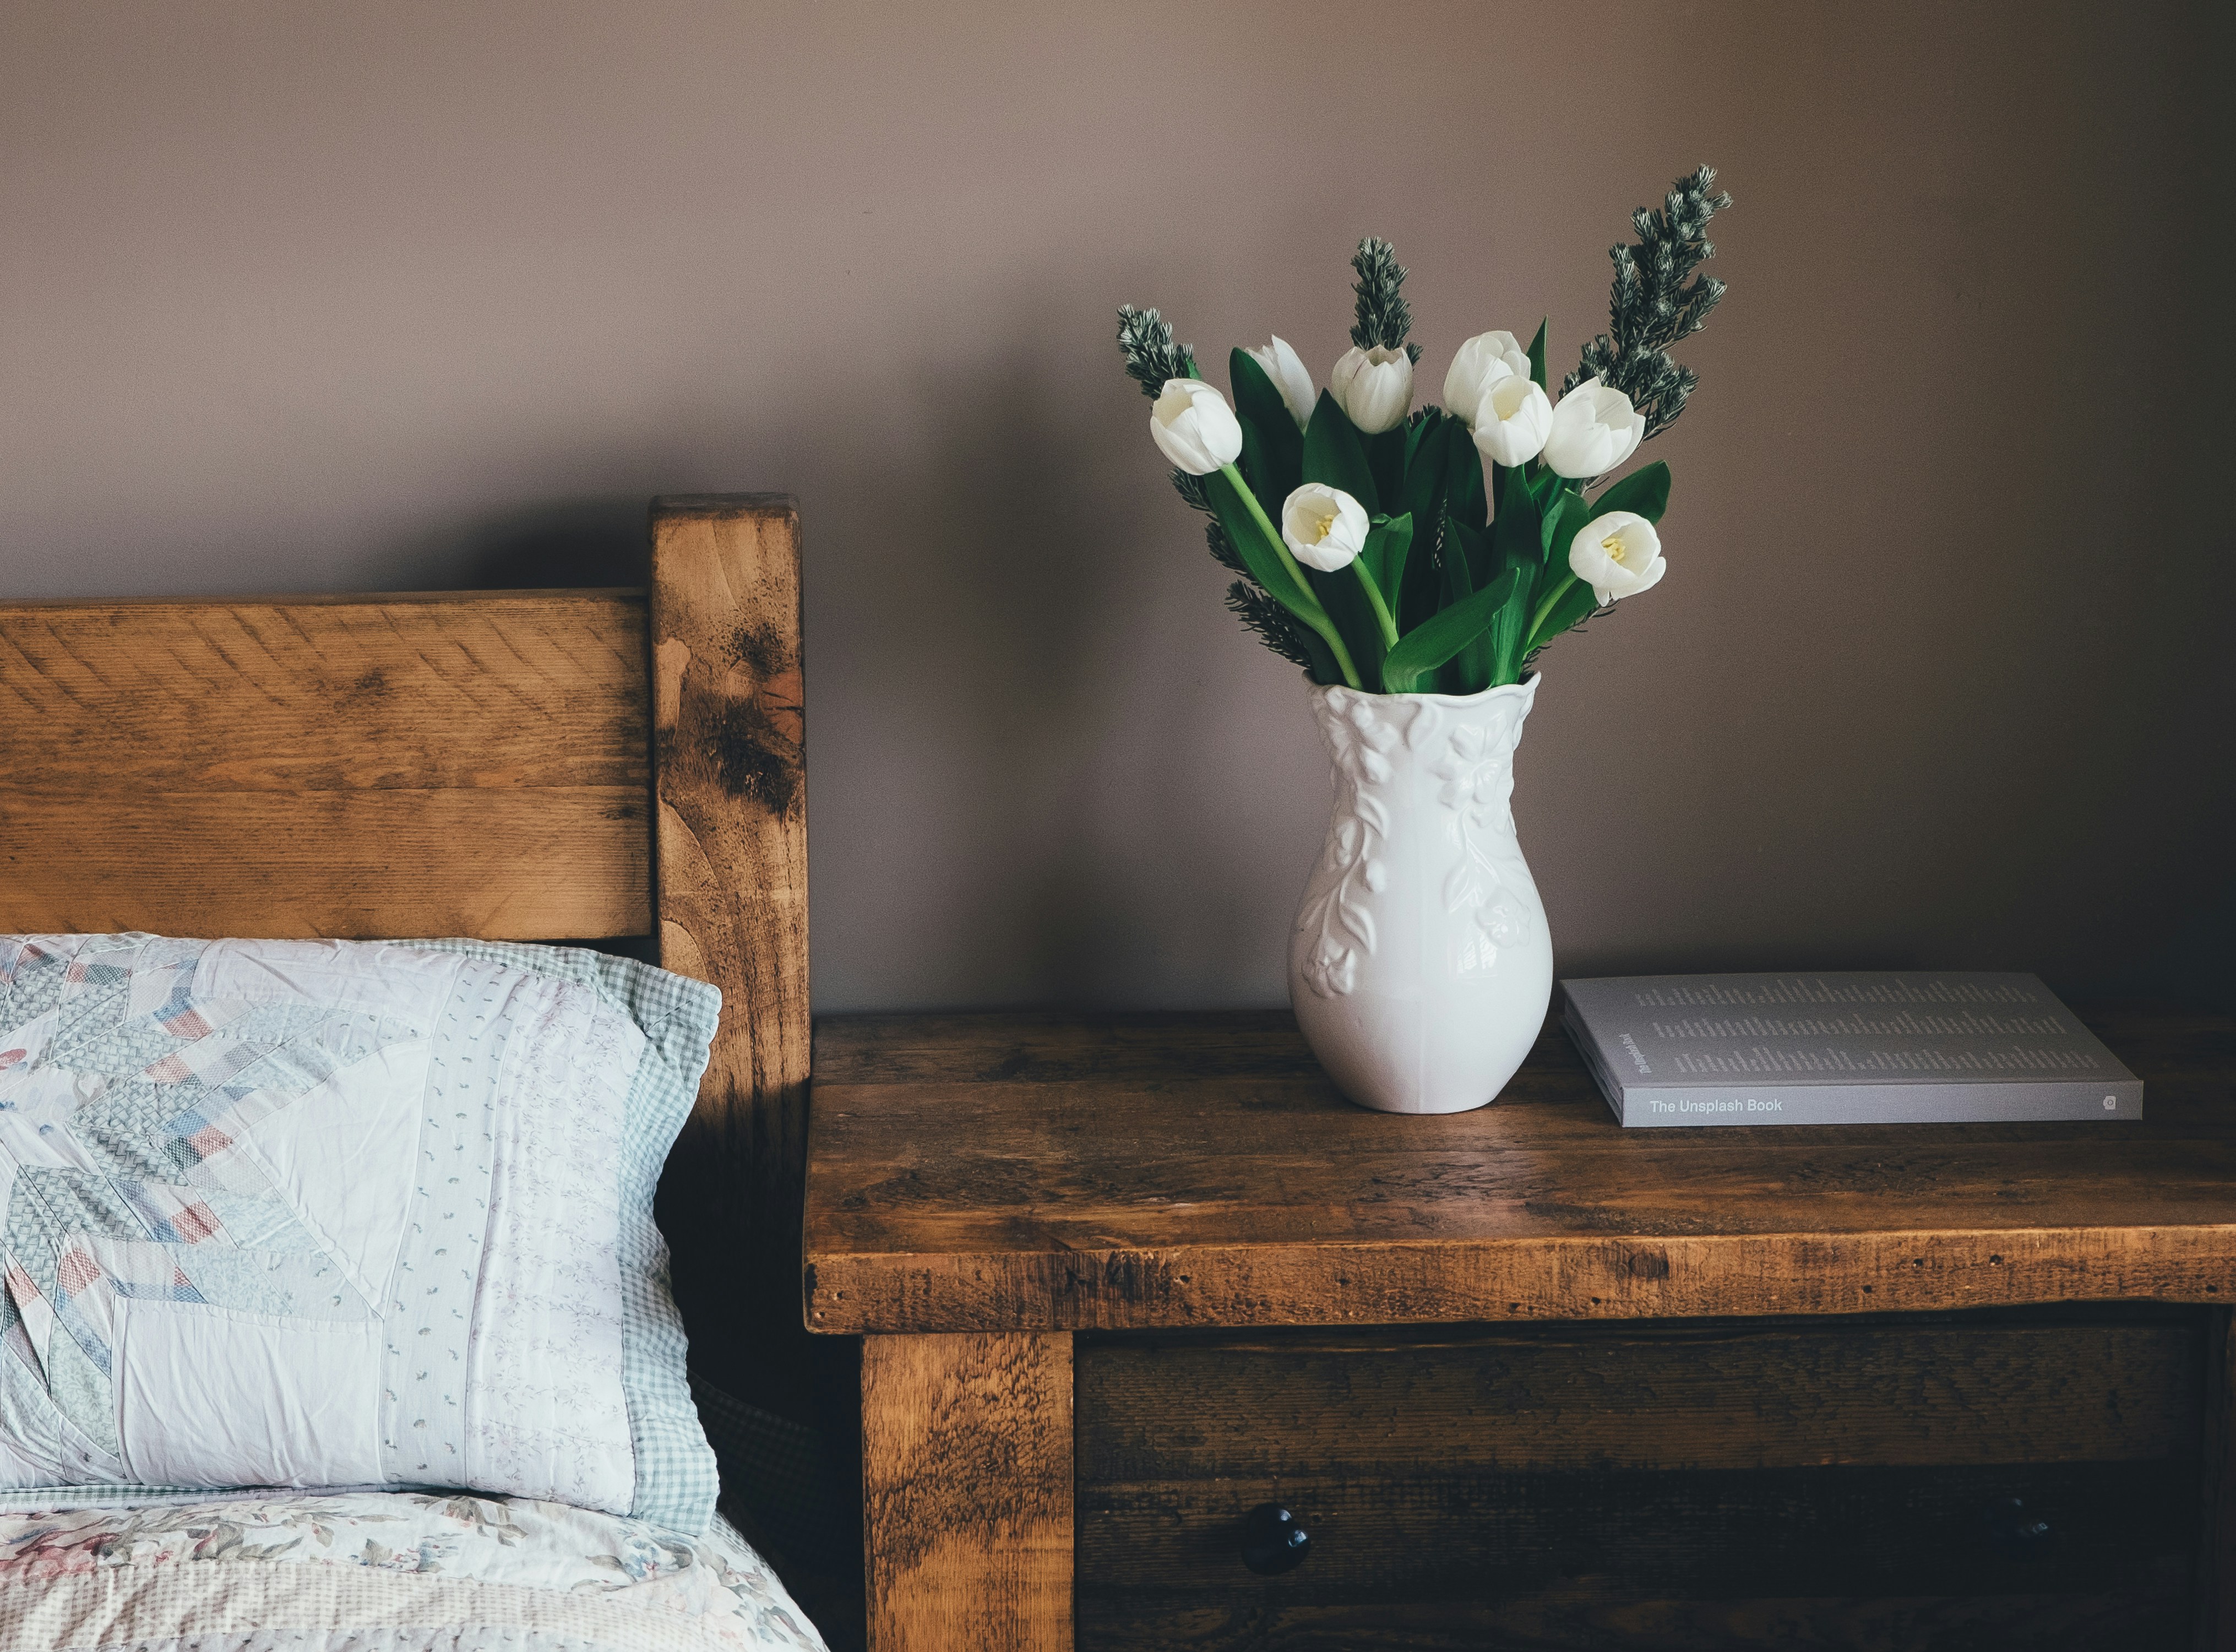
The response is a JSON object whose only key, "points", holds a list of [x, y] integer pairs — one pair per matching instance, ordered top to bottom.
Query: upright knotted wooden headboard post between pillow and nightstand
{"points": [[730, 844]]}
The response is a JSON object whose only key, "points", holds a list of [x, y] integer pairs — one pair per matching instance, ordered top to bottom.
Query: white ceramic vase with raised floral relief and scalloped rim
{"points": [[1421, 965]]}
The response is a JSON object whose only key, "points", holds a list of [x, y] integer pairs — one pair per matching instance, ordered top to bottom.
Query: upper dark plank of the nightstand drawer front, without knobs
{"points": [[1933, 1392]]}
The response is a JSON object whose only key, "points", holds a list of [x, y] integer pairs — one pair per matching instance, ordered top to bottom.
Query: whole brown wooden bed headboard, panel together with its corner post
{"points": [[509, 766]]}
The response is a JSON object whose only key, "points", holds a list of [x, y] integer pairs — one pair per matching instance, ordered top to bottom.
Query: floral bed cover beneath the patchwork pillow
{"points": [[383, 1573]]}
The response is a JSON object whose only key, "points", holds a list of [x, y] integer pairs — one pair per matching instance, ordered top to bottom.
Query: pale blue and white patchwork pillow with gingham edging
{"points": [[343, 1215]]}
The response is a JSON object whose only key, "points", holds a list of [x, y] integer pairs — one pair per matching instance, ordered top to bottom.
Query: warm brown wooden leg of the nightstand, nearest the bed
{"points": [[967, 1488]]}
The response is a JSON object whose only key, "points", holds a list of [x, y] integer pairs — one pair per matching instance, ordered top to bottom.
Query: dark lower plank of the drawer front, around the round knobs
{"points": [[1745, 1535]]}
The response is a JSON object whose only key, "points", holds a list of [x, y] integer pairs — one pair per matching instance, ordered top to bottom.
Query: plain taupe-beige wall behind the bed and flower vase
{"points": [[386, 296]]}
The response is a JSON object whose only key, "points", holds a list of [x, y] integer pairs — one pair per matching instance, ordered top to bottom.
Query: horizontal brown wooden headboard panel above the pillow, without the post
{"points": [[404, 766]]}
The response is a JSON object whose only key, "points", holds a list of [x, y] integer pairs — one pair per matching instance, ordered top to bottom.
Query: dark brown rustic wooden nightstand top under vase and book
{"points": [[1141, 1172]]}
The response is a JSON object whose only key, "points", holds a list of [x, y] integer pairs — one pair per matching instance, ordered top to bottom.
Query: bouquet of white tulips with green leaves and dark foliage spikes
{"points": [[1439, 549]]}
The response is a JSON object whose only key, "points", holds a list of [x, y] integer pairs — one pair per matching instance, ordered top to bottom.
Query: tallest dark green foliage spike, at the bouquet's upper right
{"points": [[1658, 301]]}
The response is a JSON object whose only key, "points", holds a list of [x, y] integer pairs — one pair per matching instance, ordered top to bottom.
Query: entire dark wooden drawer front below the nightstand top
{"points": [[1692, 1485]]}
